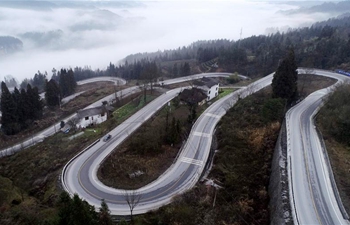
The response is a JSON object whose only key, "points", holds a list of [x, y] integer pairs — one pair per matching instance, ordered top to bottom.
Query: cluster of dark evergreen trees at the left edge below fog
{"points": [[21, 107]]}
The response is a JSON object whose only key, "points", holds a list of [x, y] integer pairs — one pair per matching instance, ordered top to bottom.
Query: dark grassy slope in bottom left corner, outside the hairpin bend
{"points": [[29, 180]]}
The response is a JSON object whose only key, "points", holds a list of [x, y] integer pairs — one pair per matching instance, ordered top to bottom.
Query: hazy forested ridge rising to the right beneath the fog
{"points": [[324, 45]]}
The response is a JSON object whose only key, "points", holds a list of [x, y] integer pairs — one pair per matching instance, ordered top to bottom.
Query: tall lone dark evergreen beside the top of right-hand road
{"points": [[284, 83]]}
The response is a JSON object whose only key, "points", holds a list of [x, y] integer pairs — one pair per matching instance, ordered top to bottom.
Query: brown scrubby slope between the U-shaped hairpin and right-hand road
{"points": [[246, 138]]}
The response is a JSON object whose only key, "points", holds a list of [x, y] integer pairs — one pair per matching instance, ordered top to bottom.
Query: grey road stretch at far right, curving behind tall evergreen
{"points": [[312, 194]]}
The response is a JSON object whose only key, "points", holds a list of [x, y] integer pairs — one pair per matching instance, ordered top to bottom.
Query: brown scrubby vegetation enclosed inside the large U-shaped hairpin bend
{"points": [[151, 150]]}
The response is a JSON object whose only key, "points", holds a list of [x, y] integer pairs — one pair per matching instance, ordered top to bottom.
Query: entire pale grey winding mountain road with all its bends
{"points": [[314, 200]]}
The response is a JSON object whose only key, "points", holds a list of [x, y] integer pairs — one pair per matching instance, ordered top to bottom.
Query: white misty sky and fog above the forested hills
{"points": [[94, 36]]}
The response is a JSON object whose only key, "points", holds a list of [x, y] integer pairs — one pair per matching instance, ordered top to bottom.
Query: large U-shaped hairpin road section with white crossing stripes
{"points": [[79, 176]]}
